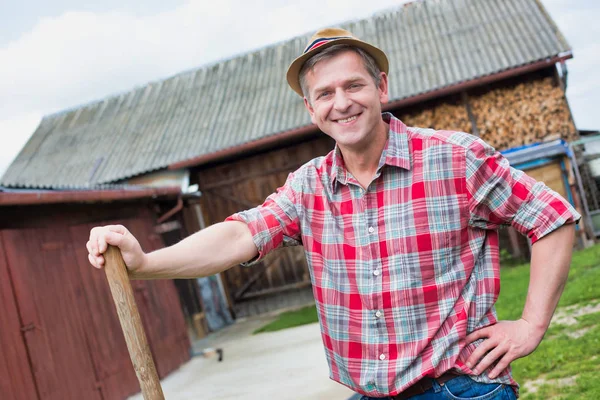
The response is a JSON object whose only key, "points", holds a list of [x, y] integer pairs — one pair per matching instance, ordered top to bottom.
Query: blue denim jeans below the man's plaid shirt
{"points": [[462, 388]]}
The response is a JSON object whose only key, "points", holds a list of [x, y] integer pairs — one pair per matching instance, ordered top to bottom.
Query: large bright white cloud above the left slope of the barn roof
{"points": [[81, 56]]}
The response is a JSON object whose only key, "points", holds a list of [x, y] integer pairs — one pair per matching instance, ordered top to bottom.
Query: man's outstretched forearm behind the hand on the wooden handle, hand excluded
{"points": [[207, 252]]}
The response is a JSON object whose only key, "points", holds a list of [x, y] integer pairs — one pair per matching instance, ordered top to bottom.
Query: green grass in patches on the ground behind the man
{"points": [[559, 356]]}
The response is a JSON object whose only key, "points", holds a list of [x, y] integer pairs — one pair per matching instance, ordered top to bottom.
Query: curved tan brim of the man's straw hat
{"points": [[293, 74]]}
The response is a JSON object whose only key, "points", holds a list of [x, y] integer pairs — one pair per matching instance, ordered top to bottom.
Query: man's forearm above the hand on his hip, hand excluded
{"points": [[550, 262]]}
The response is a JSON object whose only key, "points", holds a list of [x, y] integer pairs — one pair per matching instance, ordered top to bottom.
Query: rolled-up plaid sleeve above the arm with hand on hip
{"points": [[501, 195]]}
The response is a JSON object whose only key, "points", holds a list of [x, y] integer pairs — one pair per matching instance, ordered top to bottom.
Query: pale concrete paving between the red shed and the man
{"points": [[287, 364]]}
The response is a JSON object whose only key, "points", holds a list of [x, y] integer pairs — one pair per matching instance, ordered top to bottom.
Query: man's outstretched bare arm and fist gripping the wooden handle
{"points": [[207, 252]]}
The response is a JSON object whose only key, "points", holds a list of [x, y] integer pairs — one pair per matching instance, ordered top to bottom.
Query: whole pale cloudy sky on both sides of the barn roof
{"points": [[60, 54]]}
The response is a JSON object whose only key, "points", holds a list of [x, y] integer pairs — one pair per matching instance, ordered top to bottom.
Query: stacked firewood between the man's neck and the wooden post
{"points": [[448, 116]]}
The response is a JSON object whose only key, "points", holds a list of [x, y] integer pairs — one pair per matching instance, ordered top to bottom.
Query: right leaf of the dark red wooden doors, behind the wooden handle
{"points": [[156, 301]]}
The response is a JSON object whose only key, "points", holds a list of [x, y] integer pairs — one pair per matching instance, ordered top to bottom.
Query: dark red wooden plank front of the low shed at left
{"points": [[67, 323]]}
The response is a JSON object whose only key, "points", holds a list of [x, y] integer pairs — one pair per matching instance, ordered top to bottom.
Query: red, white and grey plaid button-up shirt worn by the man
{"points": [[404, 270]]}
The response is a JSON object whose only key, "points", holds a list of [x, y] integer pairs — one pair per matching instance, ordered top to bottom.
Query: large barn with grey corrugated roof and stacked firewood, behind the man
{"points": [[233, 130]]}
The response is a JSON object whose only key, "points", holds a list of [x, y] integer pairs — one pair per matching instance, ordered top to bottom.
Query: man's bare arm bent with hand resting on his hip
{"points": [[508, 340]]}
